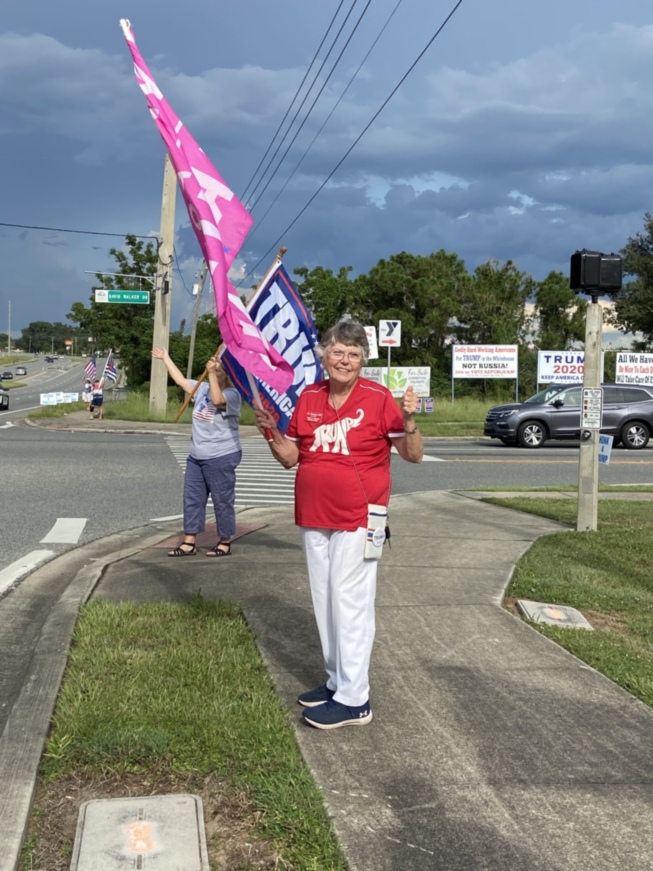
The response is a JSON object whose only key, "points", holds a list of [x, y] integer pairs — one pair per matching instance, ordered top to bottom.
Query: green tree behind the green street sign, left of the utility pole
{"points": [[125, 328]]}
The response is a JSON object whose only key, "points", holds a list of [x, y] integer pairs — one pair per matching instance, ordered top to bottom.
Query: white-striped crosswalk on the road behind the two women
{"points": [[260, 480]]}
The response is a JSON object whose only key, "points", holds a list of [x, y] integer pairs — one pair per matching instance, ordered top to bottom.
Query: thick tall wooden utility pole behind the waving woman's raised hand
{"points": [[163, 289]]}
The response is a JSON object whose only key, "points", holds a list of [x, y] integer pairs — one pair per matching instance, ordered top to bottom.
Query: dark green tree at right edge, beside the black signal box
{"points": [[634, 303]]}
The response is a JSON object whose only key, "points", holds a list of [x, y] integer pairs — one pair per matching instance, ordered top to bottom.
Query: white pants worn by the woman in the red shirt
{"points": [[343, 588]]}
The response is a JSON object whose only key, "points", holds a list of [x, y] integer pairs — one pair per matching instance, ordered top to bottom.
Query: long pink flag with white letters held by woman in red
{"points": [[221, 223]]}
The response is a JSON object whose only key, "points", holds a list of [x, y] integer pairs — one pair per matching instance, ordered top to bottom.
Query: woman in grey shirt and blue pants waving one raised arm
{"points": [[214, 455]]}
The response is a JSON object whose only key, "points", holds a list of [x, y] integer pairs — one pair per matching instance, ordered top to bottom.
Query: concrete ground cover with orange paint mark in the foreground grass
{"points": [[158, 832]]}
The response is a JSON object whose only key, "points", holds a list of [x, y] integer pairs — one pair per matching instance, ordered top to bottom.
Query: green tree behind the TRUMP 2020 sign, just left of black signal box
{"points": [[559, 314]]}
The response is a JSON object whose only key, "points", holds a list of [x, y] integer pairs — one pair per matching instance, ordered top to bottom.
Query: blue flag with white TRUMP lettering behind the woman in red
{"points": [[279, 313]]}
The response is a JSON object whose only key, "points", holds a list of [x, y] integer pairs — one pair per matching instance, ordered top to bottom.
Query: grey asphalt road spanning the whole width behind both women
{"points": [[111, 482]]}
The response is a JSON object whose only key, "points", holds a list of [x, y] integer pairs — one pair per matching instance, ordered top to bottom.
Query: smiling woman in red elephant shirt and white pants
{"points": [[341, 434]]}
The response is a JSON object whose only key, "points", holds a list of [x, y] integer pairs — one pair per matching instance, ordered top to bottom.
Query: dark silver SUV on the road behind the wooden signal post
{"points": [[554, 413]]}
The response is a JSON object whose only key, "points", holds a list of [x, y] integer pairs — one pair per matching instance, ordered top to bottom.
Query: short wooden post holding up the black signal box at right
{"points": [[588, 460]]}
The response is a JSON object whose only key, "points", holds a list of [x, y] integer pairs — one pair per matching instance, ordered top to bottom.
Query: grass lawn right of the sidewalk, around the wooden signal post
{"points": [[607, 575]]}
